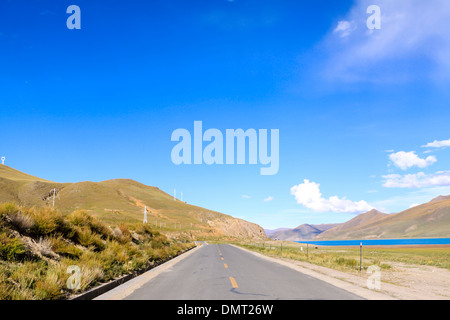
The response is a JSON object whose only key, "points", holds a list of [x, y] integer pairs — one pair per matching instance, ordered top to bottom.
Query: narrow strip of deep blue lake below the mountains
{"points": [[379, 242]]}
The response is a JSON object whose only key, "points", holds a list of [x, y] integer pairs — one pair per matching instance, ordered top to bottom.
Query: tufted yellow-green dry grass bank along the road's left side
{"points": [[34, 264]]}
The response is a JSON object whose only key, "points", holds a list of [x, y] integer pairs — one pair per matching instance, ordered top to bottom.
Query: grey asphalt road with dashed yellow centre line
{"points": [[224, 272]]}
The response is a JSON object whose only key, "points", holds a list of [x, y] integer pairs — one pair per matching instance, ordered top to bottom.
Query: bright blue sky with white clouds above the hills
{"points": [[363, 114]]}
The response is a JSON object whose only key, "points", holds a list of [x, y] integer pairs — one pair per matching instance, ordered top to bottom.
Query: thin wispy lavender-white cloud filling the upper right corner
{"points": [[413, 43]]}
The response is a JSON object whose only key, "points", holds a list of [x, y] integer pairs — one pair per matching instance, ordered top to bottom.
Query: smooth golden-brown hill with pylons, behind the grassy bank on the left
{"points": [[123, 200]]}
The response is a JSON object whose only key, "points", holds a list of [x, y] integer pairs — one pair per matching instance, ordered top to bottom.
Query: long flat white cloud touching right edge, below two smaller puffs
{"points": [[417, 180]]}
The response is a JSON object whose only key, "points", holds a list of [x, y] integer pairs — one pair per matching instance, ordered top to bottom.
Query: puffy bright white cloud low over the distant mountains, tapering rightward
{"points": [[308, 194]]}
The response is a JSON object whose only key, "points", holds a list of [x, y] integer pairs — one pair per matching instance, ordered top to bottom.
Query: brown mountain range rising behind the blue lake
{"points": [[429, 220]]}
